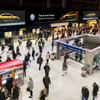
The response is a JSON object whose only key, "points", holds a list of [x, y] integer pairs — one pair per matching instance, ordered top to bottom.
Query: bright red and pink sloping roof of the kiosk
{"points": [[9, 65]]}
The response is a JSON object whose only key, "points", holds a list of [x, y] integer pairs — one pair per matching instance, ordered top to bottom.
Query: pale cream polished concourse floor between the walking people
{"points": [[67, 87]]}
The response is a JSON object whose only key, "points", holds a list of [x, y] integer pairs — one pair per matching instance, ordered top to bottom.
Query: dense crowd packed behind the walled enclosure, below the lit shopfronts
{"points": [[73, 31]]}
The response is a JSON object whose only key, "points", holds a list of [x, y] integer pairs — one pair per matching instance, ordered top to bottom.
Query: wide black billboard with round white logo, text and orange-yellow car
{"points": [[49, 15]]}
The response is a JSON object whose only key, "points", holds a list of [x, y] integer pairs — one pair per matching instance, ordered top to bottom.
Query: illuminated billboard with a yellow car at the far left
{"points": [[12, 17]]}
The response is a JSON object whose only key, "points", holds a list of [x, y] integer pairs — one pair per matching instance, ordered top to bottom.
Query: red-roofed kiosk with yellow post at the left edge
{"points": [[13, 67]]}
